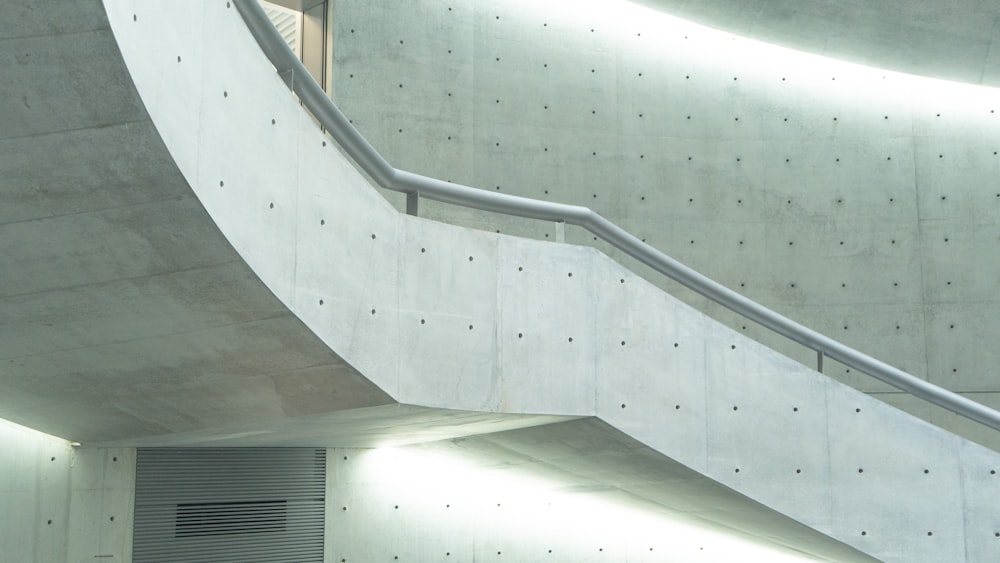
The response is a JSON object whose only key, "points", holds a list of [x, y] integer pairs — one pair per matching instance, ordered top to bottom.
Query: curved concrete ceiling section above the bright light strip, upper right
{"points": [[955, 40]]}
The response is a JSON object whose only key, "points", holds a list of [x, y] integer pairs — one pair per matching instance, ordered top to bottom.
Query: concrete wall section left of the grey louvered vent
{"points": [[60, 503]]}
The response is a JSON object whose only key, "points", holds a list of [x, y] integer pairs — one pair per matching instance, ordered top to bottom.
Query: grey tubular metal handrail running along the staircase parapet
{"points": [[371, 162]]}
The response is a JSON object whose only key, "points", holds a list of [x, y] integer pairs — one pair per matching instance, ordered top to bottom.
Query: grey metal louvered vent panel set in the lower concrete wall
{"points": [[243, 505]]}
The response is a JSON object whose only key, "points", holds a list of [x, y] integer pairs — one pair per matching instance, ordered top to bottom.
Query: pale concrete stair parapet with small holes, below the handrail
{"points": [[443, 316]]}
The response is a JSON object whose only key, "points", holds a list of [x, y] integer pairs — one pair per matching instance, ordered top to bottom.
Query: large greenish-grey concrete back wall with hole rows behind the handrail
{"points": [[859, 202]]}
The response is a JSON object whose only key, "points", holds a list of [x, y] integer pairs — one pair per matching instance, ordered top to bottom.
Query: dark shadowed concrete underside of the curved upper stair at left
{"points": [[123, 312]]}
